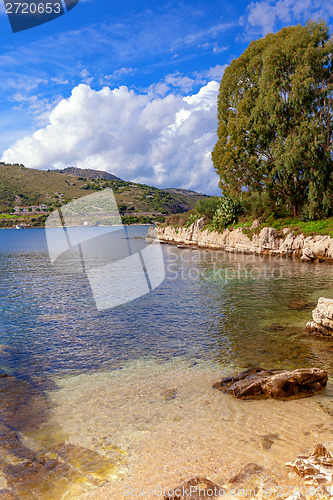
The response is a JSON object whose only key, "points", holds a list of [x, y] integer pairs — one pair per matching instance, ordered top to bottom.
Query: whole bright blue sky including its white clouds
{"points": [[130, 87]]}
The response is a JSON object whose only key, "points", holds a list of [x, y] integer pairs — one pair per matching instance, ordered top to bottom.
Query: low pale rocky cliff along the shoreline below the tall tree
{"points": [[268, 241]]}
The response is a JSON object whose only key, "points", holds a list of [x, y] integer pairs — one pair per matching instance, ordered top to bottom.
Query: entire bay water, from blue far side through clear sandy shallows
{"points": [[213, 314]]}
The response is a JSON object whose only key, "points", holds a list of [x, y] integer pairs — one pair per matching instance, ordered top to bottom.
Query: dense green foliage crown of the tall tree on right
{"points": [[275, 121]]}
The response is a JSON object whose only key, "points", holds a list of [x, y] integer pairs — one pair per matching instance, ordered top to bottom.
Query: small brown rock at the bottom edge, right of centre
{"points": [[194, 489]]}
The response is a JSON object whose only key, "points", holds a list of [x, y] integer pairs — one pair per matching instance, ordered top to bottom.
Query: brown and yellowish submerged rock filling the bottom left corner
{"points": [[34, 462]]}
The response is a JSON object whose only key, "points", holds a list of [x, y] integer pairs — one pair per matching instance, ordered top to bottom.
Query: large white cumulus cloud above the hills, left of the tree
{"points": [[163, 141]]}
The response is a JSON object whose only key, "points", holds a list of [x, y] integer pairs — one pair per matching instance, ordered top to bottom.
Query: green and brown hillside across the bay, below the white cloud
{"points": [[138, 203]]}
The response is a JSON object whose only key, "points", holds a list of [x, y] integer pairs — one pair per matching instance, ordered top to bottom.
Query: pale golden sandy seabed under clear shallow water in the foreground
{"points": [[172, 426]]}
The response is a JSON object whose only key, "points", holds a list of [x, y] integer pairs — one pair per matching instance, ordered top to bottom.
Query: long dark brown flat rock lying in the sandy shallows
{"points": [[257, 383]]}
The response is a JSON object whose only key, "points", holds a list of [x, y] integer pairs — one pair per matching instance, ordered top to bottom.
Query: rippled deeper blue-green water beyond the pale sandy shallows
{"points": [[237, 310]]}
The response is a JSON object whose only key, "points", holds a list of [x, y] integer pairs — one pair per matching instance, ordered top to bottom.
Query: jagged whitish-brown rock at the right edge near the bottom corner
{"points": [[317, 467]]}
